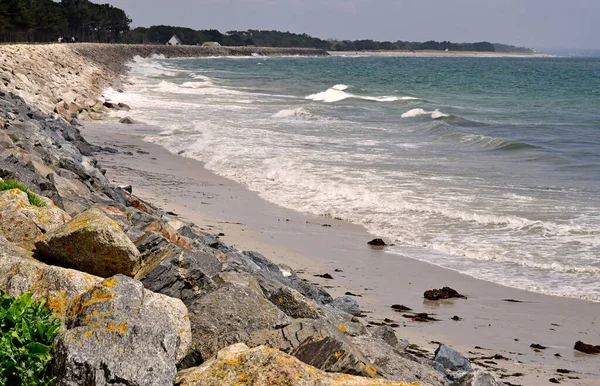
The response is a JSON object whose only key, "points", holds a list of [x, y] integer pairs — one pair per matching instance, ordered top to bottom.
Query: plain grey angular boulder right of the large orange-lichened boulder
{"points": [[229, 315]]}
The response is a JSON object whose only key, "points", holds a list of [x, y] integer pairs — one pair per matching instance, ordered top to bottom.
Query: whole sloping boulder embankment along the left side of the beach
{"points": [[147, 299]]}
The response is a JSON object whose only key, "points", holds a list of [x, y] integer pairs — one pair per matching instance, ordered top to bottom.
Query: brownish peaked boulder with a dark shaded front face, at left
{"points": [[92, 243]]}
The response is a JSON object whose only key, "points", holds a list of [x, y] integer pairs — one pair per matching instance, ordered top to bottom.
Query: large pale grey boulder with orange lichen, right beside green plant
{"points": [[118, 334]]}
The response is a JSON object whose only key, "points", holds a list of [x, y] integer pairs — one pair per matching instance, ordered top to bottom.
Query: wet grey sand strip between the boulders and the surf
{"points": [[490, 325]]}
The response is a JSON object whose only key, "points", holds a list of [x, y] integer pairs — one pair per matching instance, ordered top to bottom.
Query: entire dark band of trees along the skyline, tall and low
{"points": [[46, 20]]}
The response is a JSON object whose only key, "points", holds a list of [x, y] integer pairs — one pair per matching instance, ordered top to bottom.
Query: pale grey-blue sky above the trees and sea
{"points": [[528, 23]]}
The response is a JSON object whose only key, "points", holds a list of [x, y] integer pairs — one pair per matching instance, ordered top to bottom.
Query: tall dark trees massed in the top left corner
{"points": [[46, 20]]}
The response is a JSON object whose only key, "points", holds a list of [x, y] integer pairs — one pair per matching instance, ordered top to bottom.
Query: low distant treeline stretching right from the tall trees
{"points": [[162, 33]]}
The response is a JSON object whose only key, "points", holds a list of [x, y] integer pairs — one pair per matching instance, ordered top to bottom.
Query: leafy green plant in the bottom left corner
{"points": [[27, 330]]}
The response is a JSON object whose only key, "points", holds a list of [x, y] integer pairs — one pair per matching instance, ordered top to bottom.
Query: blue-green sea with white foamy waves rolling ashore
{"points": [[489, 166]]}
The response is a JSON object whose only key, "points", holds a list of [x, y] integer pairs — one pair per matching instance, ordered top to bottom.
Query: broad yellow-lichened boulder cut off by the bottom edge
{"points": [[263, 366]]}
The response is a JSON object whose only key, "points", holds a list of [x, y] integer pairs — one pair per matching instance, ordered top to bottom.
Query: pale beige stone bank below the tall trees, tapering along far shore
{"points": [[67, 78]]}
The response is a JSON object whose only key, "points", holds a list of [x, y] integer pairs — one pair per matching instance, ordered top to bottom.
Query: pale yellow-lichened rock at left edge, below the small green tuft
{"points": [[22, 223]]}
